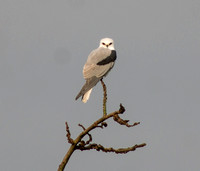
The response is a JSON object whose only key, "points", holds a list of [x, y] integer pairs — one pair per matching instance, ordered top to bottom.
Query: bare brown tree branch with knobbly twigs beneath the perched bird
{"points": [[80, 144]]}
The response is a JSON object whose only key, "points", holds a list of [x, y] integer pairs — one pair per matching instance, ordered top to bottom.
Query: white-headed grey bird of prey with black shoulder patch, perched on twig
{"points": [[100, 61]]}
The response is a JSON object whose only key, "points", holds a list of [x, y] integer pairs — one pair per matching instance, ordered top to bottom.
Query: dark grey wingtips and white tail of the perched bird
{"points": [[90, 83]]}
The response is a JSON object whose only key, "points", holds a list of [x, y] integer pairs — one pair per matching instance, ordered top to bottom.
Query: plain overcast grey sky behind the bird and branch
{"points": [[43, 47]]}
